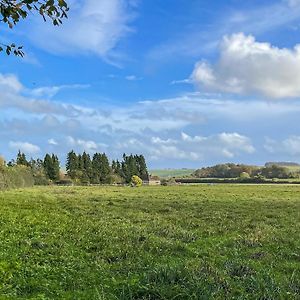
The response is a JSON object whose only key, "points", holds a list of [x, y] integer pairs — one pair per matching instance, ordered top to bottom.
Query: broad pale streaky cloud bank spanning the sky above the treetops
{"points": [[163, 130]]}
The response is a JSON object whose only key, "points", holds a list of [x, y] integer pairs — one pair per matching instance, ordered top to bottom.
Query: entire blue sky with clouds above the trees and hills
{"points": [[187, 83]]}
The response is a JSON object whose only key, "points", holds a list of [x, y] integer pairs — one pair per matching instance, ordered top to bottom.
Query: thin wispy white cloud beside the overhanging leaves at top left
{"points": [[93, 26]]}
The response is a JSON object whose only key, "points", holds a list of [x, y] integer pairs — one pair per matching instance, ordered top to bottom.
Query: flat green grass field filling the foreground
{"points": [[182, 242]]}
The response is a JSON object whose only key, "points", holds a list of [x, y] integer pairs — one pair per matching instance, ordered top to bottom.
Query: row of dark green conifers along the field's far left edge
{"points": [[84, 169]]}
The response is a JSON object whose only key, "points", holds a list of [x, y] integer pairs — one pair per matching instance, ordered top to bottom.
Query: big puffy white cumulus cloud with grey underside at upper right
{"points": [[248, 67]]}
